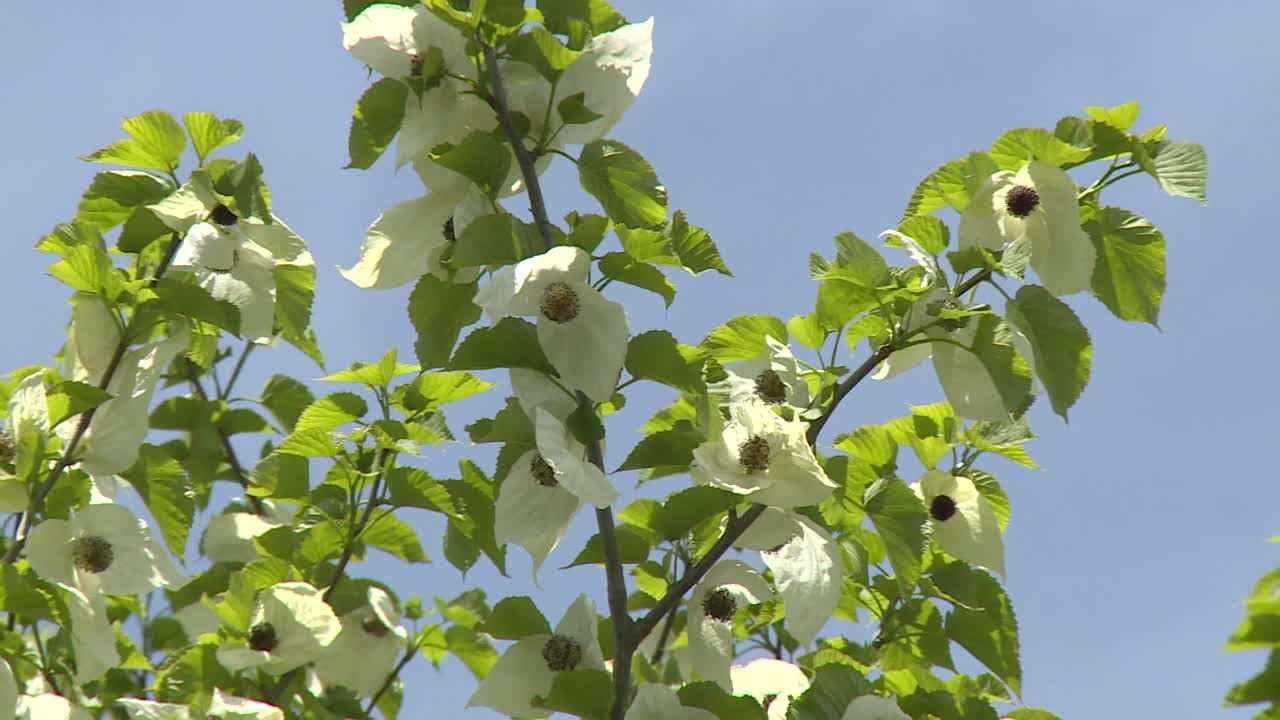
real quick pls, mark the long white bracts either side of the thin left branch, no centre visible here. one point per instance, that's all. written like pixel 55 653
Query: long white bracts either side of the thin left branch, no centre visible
pixel 120 426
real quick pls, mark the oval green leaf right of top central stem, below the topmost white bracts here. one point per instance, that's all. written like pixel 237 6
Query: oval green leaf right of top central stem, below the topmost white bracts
pixel 624 183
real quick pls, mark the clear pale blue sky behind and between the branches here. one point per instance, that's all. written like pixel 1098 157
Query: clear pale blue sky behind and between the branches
pixel 776 126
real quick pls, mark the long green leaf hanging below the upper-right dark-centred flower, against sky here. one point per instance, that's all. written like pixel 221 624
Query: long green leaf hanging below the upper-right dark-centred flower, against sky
pixel 1059 343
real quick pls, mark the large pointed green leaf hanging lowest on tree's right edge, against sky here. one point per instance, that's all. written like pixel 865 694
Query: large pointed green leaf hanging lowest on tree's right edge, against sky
pixel 985 623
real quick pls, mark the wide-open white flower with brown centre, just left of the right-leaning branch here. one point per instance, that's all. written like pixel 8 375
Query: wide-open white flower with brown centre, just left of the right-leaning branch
pixel 762 457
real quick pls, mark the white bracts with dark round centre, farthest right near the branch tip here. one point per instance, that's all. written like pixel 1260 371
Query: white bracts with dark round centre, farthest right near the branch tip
pixel 1037 206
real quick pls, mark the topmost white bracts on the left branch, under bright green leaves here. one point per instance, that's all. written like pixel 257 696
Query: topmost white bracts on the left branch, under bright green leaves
pixel 231 257
